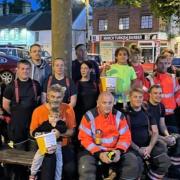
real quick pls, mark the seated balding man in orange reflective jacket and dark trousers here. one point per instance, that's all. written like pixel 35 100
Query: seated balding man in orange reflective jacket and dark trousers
pixel 105 137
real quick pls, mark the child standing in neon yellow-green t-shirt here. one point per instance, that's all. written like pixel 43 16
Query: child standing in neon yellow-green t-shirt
pixel 125 75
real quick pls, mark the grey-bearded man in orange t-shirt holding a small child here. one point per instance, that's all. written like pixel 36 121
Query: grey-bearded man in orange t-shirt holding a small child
pixel 40 114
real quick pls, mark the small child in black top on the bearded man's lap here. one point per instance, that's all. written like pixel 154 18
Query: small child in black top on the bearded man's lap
pixel 53 124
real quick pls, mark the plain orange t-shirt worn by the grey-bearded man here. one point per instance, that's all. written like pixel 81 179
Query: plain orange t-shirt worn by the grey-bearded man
pixel 41 113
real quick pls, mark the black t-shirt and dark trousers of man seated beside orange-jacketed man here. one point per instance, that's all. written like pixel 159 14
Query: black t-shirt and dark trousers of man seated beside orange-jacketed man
pixel 140 124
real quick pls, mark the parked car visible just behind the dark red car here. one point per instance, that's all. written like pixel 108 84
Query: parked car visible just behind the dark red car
pixel 17 52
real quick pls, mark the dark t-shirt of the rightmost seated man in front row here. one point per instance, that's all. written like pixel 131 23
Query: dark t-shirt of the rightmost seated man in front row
pixel 157 111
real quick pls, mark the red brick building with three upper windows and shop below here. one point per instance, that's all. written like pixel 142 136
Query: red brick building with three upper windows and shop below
pixel 116 26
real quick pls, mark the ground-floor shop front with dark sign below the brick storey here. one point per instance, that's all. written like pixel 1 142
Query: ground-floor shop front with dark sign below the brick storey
pixel 150 45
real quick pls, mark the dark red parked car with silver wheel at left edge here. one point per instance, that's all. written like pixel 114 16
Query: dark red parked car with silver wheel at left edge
pixel 8 65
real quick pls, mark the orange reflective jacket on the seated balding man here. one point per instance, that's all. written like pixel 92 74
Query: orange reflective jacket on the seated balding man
pixel 114 128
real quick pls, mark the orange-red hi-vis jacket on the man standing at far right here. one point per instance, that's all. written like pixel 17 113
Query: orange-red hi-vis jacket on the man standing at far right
pixel 170 88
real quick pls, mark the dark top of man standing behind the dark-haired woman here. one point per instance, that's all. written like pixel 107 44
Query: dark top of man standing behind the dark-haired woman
pixel 76 74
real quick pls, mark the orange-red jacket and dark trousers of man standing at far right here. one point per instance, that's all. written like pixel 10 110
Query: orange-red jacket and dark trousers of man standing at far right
pixel 170 96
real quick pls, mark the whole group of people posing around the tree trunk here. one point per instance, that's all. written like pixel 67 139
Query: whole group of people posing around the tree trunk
pixel 117 134
